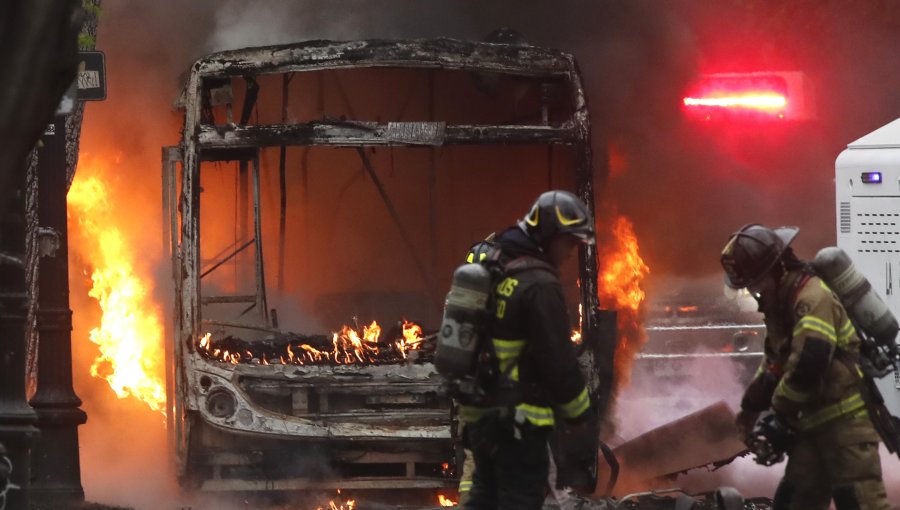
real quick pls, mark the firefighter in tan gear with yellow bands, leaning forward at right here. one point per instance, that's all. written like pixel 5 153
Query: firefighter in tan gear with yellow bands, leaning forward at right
pixel 809 377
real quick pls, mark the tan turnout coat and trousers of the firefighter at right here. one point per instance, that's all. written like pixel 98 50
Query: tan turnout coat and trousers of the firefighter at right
pixel 811 379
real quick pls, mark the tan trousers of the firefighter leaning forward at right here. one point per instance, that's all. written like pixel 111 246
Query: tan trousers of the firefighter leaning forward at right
pixel 837 462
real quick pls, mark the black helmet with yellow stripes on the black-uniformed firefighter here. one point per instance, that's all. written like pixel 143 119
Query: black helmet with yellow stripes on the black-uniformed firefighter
pixel 556 213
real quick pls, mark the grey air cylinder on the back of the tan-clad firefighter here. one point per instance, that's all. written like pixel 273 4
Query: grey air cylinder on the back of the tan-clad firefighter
pixel 867 310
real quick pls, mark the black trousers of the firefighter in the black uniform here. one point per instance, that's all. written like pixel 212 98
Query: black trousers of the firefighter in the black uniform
pixel 510 467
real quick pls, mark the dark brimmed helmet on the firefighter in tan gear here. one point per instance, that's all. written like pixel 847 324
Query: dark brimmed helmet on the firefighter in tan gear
pixel 752 251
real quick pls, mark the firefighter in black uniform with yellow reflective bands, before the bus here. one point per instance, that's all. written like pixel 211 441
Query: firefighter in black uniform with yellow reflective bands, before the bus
pixel 538 369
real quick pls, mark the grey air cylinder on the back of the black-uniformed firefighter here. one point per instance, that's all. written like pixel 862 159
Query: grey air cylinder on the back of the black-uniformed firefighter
pixel 465 316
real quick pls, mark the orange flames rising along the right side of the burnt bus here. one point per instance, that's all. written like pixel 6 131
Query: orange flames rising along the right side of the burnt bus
pixel 623 271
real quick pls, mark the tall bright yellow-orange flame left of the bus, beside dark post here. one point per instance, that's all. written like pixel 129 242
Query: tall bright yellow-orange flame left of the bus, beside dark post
pixel 130 334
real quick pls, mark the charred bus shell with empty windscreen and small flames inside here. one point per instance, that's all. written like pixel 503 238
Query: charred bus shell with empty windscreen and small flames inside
pixel 256 407
